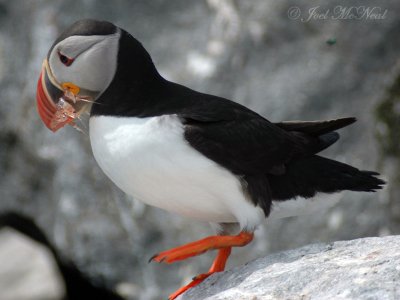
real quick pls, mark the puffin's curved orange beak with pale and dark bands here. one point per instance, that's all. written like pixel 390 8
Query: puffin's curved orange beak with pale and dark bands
pixel 48 95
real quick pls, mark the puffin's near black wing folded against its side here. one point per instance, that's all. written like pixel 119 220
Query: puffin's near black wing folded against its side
pixel 243 141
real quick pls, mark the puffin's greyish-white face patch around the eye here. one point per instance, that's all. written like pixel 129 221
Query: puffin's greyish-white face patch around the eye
pixel 95 61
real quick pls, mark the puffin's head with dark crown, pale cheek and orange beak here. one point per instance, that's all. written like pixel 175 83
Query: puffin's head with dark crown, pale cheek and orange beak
pixel 79 67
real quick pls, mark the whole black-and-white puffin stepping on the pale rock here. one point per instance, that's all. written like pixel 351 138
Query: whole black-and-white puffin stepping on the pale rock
pixel 194 154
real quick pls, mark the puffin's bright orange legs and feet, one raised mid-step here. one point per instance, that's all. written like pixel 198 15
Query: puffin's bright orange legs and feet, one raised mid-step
pixel 224 245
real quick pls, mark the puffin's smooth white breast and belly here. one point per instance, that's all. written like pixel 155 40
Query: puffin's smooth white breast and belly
pixel 149 159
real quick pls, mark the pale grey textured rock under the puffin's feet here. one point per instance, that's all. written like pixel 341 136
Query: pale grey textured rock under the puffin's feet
pixel 360 269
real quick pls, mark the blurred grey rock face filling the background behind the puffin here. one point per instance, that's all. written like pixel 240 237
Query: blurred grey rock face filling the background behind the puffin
pixel 257 53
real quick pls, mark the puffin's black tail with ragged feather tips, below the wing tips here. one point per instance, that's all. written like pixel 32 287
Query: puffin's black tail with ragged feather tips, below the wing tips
pixel 307 176
